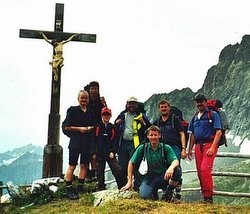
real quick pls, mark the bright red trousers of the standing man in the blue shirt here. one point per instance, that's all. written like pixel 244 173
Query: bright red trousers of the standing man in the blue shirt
pixel 204 166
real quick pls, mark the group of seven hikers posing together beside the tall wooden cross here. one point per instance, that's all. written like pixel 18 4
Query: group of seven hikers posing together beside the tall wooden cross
pixel 143 156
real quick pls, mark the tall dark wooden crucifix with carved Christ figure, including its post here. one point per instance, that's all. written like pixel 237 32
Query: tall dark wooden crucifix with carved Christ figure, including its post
pixel 52 155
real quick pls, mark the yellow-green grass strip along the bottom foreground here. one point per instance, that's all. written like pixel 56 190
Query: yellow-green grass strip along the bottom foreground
pixel 127 206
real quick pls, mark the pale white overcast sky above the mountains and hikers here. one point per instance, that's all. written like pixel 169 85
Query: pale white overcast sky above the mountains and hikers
pixel 143 47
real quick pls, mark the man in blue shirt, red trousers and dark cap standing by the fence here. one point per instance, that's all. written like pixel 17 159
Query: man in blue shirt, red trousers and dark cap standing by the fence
pixel 205 129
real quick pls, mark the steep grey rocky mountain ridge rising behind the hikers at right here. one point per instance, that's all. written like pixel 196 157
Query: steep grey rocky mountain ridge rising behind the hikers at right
pixel 228 80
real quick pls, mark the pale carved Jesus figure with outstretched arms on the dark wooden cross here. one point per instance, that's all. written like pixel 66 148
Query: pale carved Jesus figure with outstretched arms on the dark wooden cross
pixel 57 60
